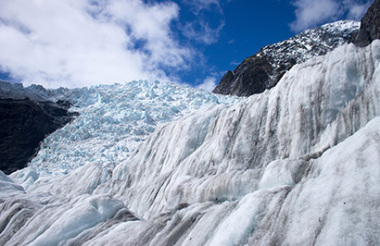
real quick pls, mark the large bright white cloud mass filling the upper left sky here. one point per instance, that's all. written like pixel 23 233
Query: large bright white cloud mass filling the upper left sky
pixel 77 43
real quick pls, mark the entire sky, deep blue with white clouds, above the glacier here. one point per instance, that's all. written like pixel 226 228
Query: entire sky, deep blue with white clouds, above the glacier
pixel 76 43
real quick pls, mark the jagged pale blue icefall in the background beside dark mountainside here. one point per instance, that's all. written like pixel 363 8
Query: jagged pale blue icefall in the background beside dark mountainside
pixel 112 121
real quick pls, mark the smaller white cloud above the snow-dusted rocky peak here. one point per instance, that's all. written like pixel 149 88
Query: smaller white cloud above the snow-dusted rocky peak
pixel 310 13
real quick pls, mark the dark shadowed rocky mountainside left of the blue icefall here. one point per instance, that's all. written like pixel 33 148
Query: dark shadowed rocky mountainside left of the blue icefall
pixel 24 123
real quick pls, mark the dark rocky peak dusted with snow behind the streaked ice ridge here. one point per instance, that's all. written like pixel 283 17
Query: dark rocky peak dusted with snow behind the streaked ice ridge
pixel 264 69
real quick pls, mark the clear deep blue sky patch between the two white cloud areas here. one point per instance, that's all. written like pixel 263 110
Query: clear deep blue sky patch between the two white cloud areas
pixel 247 27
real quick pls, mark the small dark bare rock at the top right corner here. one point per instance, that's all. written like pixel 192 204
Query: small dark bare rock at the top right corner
pixel 370 26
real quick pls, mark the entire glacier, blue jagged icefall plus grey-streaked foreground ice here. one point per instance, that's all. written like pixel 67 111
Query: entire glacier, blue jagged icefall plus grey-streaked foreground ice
pixel 296 165
